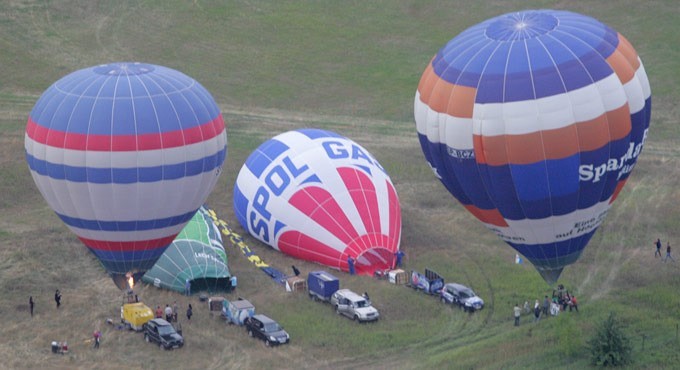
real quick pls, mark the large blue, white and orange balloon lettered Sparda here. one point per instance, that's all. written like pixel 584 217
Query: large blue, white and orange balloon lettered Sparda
pixel 533 121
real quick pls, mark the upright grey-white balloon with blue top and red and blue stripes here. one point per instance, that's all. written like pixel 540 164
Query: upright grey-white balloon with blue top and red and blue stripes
pixel 125 154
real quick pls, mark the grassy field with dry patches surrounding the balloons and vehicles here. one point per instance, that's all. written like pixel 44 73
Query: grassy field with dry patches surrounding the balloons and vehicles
pixel 352 67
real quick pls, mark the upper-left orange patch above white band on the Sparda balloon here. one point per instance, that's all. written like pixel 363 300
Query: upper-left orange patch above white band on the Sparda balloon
pixel 445 97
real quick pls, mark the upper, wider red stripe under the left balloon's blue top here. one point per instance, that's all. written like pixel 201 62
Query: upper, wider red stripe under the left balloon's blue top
pixel 122 143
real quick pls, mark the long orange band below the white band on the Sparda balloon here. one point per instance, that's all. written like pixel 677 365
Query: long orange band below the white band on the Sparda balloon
pixel 553 144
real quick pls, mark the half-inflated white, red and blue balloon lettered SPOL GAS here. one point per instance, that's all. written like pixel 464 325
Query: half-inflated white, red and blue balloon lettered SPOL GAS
pixel 318 196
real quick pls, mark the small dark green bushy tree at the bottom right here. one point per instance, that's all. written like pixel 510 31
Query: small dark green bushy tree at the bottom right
pixel 610 346
